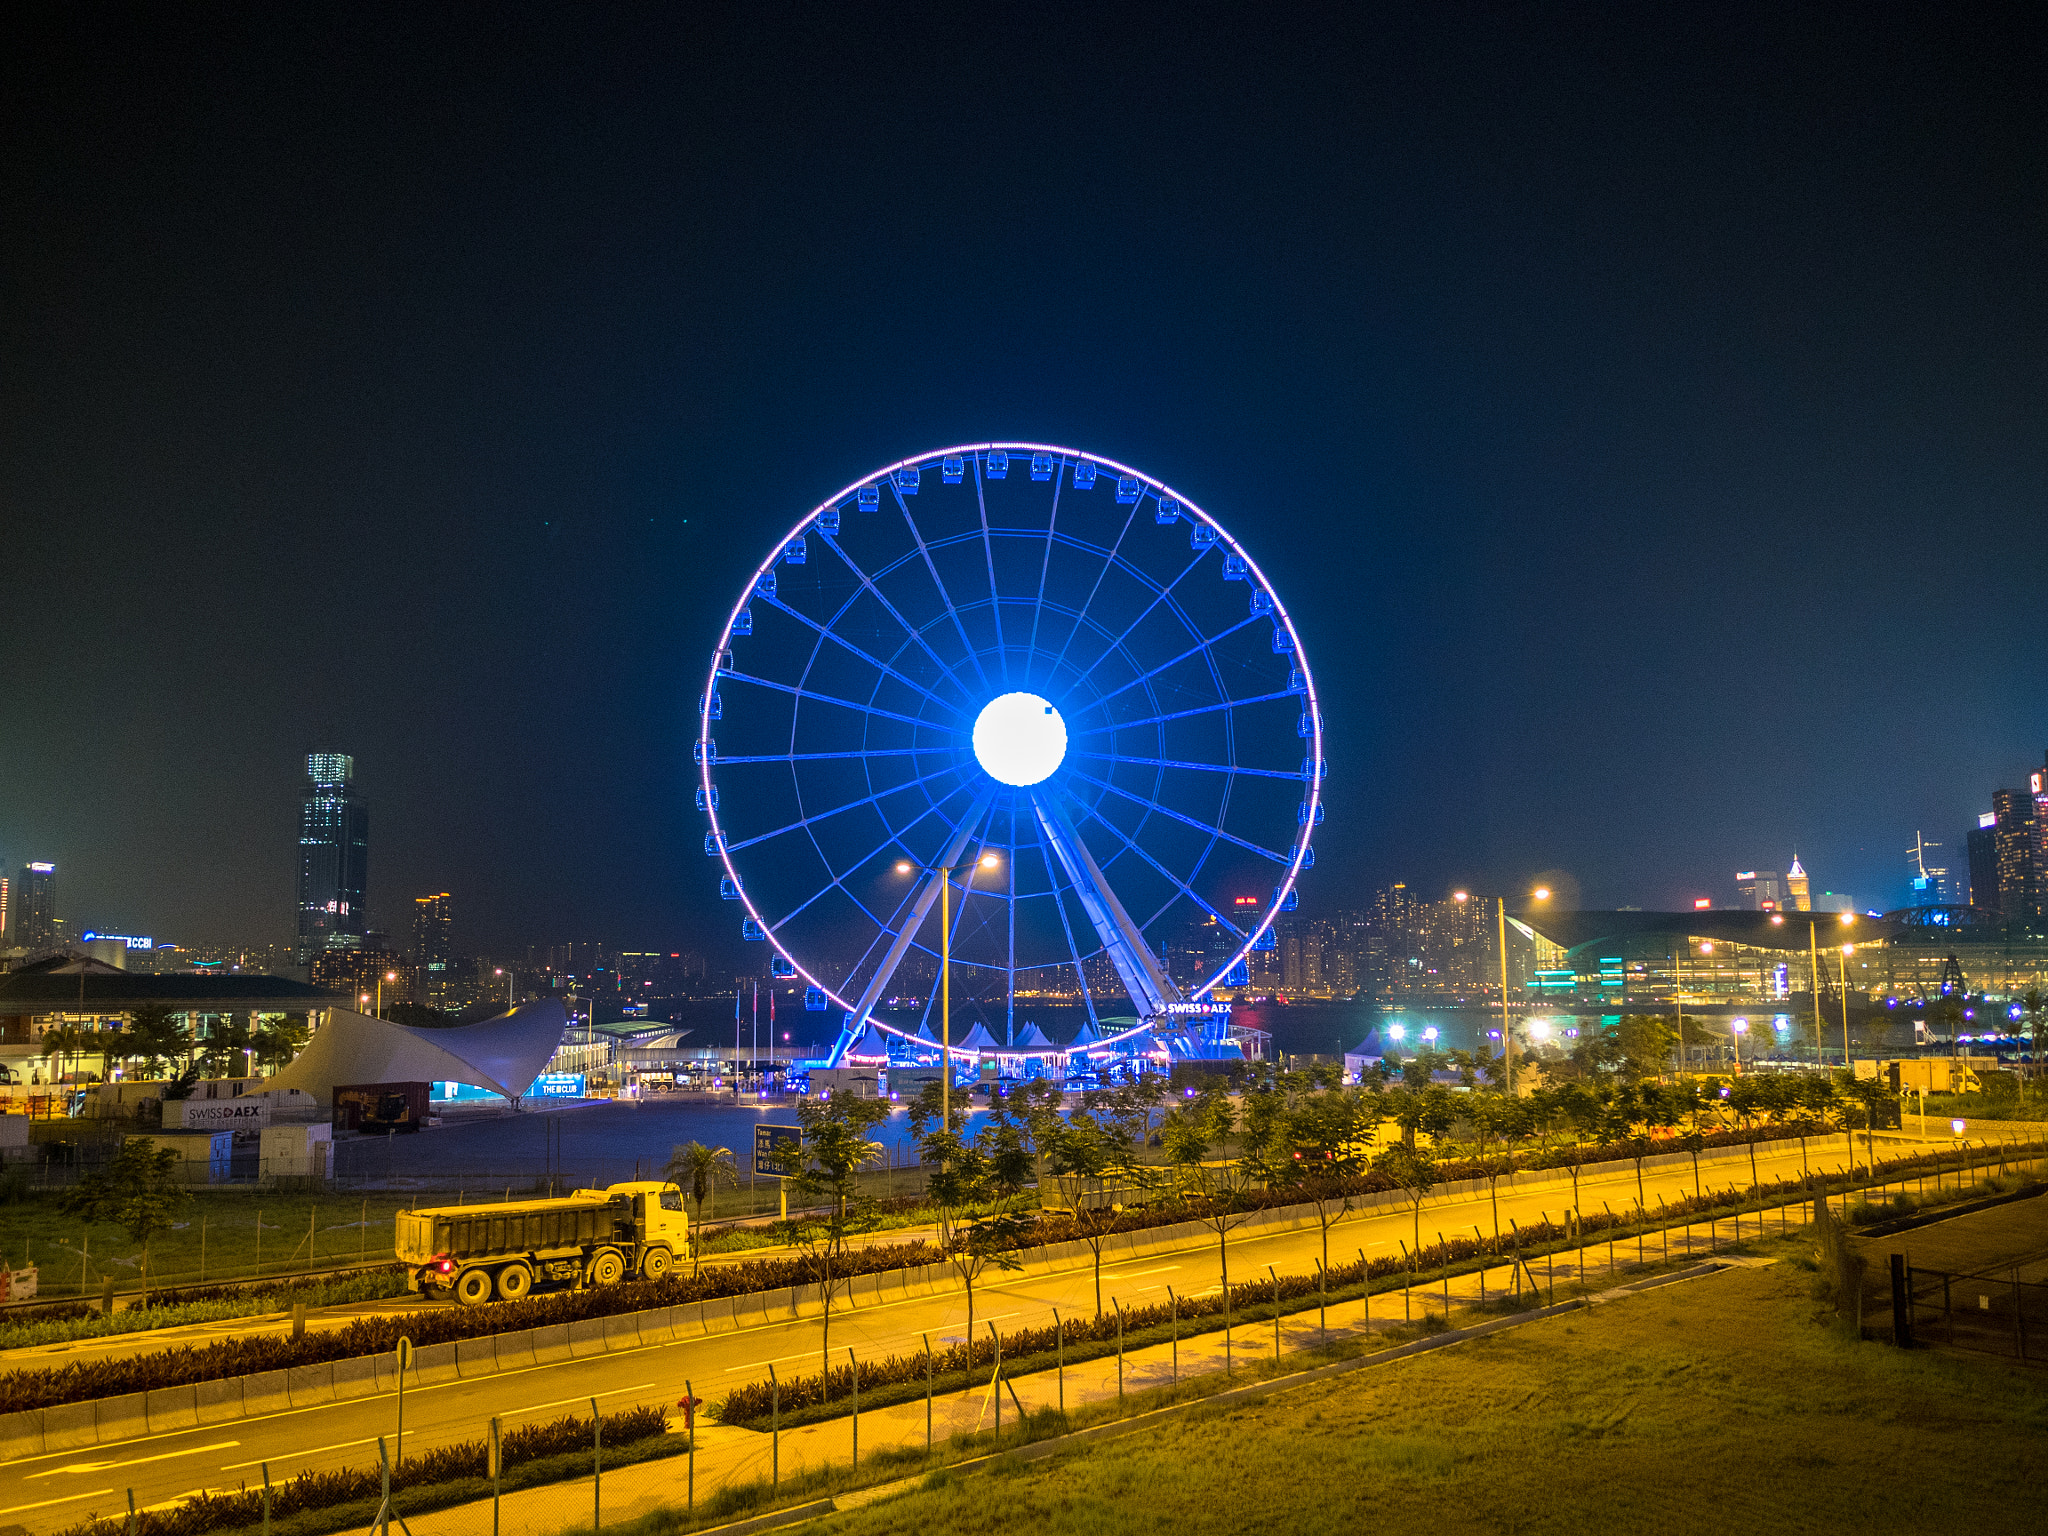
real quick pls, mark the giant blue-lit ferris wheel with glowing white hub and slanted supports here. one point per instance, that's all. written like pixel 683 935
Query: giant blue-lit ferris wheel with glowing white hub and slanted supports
pixel 1039 685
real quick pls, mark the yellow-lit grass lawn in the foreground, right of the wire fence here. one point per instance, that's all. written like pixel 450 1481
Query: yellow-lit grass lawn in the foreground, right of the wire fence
pixel 1711 1406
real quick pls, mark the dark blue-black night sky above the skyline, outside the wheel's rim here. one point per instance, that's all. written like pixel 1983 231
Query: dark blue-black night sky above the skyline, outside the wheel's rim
pixel 1644 413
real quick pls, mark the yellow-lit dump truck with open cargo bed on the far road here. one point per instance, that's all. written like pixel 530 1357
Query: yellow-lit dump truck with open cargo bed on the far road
pixel 593 1238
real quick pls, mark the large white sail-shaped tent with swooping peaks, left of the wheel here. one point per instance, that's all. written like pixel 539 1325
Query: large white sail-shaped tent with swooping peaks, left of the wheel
pixel 501 1056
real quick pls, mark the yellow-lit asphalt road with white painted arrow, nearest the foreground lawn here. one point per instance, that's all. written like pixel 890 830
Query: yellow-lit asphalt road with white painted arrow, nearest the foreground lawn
pixel 58 1490
